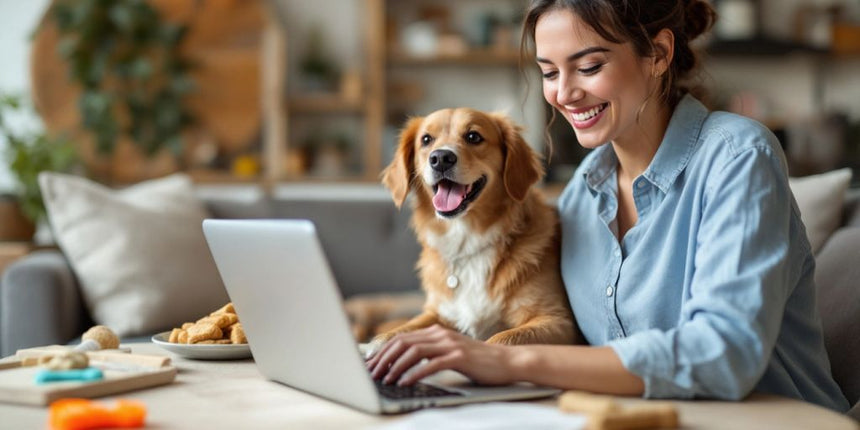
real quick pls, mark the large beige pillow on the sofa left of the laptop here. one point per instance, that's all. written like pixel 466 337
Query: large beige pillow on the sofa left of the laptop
pixel 139 253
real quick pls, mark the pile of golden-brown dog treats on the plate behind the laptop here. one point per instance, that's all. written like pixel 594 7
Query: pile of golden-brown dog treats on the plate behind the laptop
pixel 218 327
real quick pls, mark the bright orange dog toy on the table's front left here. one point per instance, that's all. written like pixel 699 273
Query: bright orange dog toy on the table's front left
pixel 82 414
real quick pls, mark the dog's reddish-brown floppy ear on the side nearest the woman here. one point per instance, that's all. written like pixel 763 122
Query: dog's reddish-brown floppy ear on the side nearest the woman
pixel 522 165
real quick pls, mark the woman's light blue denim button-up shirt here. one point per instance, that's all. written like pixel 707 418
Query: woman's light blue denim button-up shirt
pixel 711 293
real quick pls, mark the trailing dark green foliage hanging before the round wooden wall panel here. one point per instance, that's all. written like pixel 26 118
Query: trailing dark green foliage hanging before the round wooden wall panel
pixel 132 75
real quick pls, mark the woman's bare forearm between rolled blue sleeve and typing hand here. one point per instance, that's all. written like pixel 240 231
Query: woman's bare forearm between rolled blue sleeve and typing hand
pixel 595 369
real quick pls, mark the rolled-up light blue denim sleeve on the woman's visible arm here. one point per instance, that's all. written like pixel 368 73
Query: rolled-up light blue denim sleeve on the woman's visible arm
pixel 730 322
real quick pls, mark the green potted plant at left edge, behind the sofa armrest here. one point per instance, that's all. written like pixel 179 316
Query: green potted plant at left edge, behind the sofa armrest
pixel 27 154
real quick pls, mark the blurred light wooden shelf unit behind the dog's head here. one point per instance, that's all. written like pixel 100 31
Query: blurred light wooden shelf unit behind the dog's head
pixel 284 111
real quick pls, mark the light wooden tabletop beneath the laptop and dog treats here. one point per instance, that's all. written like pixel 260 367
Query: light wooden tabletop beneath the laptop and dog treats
pixel 233 394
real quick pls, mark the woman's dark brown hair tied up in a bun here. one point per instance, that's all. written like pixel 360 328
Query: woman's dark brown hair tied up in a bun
pixel 636 22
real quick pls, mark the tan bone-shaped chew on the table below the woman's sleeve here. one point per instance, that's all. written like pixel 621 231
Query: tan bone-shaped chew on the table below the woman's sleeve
pixel 605 414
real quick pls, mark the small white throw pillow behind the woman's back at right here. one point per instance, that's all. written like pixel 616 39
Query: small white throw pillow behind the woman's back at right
pixel 820 199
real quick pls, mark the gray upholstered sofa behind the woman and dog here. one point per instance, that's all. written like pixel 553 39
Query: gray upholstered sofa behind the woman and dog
pixel 371 249
